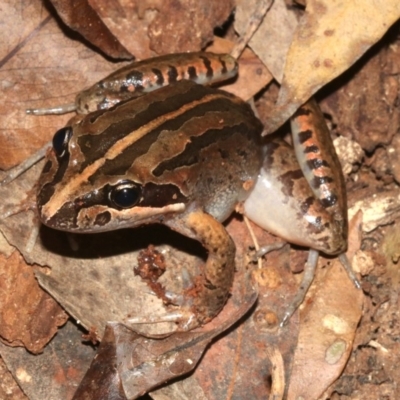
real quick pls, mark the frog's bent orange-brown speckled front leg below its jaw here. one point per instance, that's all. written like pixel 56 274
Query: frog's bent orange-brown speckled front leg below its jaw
pixel 211 289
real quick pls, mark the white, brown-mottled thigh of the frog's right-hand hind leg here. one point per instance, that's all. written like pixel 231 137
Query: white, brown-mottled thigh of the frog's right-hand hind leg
pixel 293 214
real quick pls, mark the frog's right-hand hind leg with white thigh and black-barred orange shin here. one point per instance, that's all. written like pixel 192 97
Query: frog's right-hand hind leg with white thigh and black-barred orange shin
pixel 306 193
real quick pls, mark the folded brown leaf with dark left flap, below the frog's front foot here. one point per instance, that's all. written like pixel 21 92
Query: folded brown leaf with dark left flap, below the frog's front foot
pixel 129 364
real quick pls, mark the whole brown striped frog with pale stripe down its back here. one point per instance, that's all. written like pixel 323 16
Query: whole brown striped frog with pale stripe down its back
pixel 156 146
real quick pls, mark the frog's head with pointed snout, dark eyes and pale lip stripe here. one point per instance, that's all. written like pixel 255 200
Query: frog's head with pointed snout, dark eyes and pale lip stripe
pixel 80 190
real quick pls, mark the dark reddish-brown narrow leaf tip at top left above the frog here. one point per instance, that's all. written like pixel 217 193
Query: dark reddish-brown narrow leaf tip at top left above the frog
pixel 82 18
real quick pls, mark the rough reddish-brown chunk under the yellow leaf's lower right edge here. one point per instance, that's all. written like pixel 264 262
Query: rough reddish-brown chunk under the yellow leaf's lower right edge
pixel 365 107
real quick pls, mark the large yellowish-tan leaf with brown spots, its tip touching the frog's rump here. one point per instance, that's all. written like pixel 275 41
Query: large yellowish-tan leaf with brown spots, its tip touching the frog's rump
pixel 330 38
